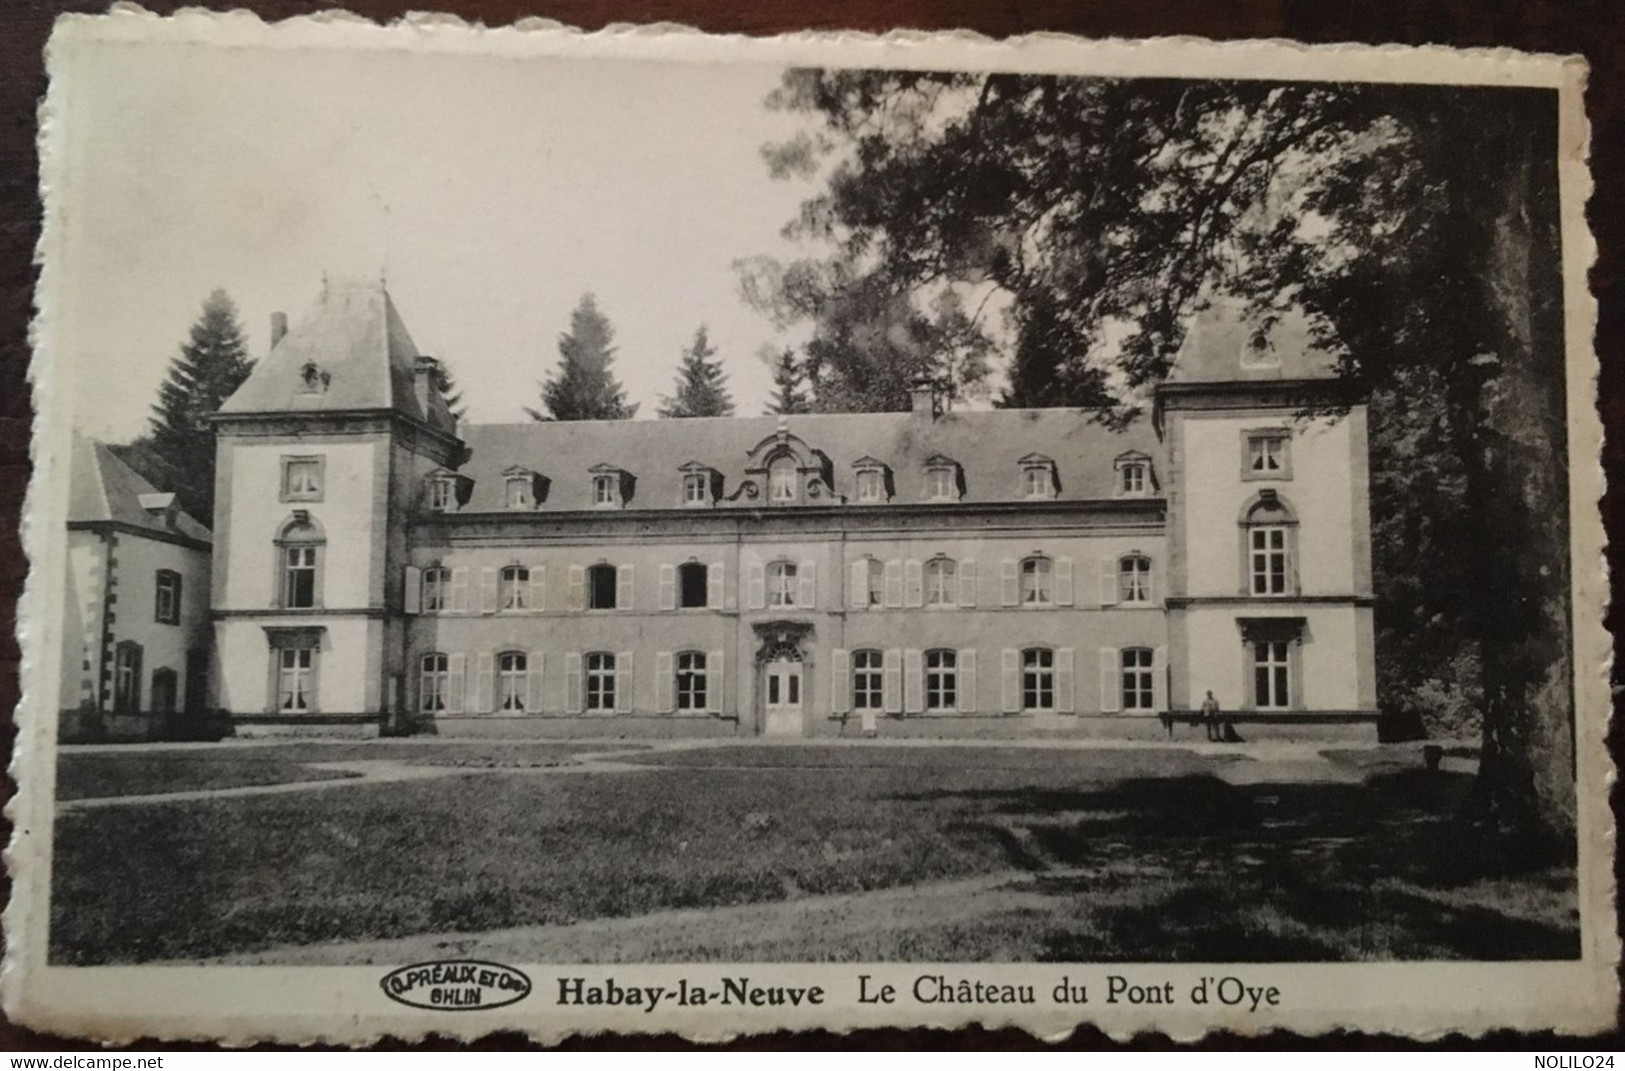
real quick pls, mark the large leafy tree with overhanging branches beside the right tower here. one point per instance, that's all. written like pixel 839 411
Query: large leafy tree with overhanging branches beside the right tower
pixel 1415 225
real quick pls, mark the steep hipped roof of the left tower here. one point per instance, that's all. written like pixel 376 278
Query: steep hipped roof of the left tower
pixel 358 340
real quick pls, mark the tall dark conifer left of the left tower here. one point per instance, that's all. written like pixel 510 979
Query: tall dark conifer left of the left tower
pixel 212 365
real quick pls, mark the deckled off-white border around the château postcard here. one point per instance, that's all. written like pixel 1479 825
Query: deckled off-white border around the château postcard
pixel 342 1005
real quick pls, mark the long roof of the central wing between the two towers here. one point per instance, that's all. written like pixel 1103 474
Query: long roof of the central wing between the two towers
pixel 986 444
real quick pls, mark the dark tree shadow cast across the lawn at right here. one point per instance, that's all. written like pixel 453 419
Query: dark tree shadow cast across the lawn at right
pixel 1192 869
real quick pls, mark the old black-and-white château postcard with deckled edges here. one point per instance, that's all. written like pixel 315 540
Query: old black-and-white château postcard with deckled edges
pixel 513 501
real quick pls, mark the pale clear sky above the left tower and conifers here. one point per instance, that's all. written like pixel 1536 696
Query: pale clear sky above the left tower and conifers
pixel 490 193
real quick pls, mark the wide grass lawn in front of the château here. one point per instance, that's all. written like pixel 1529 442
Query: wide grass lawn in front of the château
pixel 1119 856
